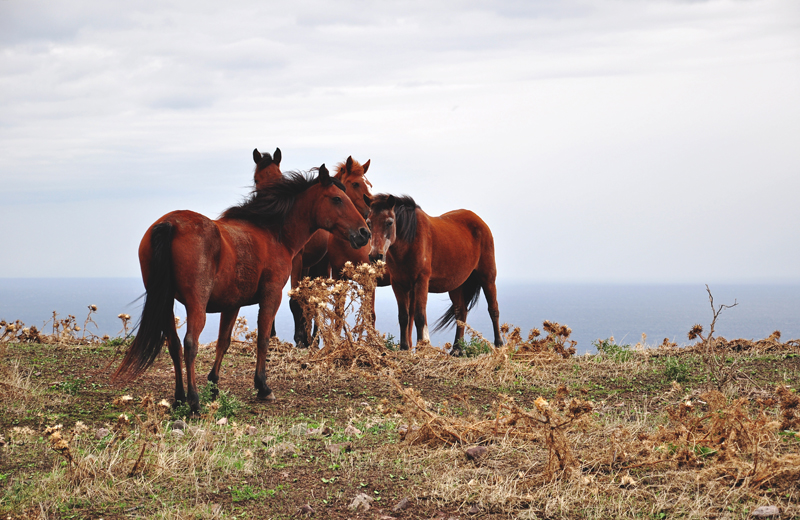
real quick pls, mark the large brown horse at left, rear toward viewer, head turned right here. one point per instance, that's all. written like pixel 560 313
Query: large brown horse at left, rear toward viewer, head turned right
pixel 243 258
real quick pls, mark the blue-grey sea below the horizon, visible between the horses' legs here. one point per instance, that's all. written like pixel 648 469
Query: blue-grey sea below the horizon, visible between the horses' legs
pixel 592 311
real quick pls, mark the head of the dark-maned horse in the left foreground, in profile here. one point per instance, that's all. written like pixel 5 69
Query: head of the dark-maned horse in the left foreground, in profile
pixel 336 213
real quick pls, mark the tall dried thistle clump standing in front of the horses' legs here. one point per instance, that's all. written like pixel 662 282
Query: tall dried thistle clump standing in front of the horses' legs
pixel 342 310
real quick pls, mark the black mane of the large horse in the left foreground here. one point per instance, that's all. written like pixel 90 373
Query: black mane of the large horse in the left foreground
pixel 269 205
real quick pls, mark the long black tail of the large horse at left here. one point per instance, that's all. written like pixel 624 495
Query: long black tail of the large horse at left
pixel 157 316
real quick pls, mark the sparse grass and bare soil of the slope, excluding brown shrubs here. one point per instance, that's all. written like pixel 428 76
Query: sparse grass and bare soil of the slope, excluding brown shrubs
pixel 223 470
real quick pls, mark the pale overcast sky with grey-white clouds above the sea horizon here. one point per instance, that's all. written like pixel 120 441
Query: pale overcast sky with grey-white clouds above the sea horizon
pixel 608 141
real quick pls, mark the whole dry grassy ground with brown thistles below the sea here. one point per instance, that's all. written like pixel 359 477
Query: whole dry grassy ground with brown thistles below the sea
pixel 631 432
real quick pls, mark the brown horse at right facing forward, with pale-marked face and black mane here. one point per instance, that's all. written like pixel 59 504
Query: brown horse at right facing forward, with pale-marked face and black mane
pixel 452 253
